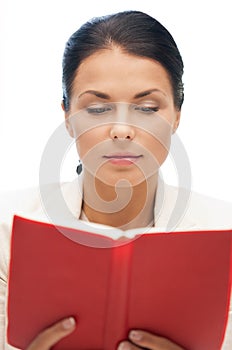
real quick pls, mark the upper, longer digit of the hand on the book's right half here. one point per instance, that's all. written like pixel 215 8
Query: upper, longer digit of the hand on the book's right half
pixel 151 341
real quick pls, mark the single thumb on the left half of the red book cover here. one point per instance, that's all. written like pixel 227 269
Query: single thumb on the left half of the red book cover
pixel 53 334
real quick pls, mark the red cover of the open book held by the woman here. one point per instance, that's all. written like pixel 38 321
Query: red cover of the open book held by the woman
pixel 176 285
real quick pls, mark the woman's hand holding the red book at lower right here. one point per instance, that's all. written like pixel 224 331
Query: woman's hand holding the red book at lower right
pixel 141 339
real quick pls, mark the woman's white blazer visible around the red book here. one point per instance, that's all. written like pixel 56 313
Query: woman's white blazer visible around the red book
pixel 175 210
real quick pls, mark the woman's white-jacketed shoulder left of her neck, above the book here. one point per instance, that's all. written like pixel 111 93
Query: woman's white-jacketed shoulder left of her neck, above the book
pixel 37 203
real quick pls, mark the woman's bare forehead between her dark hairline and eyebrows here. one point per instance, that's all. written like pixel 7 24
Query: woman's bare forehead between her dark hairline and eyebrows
pixel 112 69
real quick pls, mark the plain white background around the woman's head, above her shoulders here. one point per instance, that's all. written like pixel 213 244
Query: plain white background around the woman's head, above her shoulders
pixel 32 39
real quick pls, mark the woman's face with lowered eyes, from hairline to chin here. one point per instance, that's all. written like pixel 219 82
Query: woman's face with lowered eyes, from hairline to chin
pixel 122 115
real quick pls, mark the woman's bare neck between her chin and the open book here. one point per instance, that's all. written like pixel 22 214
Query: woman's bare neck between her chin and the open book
pixel 124 206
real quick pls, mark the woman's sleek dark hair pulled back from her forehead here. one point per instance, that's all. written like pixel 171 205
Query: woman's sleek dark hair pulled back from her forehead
pixel 135 33
